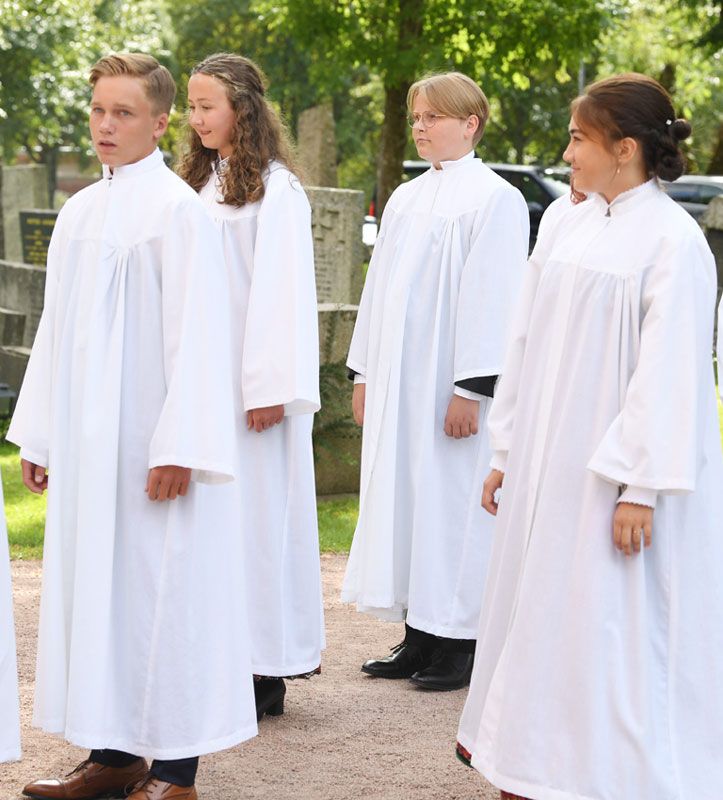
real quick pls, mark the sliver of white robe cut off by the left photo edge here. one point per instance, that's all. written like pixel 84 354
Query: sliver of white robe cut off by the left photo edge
pixel 9 706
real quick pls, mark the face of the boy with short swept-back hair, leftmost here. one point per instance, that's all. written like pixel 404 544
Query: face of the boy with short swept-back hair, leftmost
pixel 123 124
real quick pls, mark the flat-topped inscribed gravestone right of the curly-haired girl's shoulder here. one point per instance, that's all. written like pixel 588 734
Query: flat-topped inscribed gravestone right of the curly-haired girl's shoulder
pixel 337 216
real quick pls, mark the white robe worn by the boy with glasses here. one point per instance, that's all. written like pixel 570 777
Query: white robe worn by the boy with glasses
pixel 441 285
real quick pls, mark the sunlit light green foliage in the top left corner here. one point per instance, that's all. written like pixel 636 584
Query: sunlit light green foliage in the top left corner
pixel 46 50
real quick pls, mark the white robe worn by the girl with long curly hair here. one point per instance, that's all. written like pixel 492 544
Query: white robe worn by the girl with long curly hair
pixel 275 350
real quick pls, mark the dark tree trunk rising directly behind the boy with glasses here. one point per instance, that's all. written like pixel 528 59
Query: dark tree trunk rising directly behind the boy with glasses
pixel 394 128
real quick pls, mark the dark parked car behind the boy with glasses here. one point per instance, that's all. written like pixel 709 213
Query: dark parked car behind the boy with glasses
pixel 538 188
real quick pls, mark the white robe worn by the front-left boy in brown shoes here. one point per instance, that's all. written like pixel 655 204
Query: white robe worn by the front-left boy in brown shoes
pixel 141 645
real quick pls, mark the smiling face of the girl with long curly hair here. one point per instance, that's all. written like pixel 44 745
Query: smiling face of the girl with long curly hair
pixel 210 113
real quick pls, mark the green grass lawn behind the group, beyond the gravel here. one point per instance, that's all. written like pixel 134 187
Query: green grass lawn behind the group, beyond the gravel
pixel 26 512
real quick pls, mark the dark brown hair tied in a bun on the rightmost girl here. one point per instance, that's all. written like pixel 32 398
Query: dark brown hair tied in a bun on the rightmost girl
pixel 636 106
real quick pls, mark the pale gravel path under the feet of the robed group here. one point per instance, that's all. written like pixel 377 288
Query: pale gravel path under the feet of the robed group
pixel 343 736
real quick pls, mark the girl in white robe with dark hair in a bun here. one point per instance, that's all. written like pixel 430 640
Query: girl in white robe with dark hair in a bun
pixel 601 632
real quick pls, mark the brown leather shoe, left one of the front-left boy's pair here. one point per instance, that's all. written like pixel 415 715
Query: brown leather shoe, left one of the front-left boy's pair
pixel 88 781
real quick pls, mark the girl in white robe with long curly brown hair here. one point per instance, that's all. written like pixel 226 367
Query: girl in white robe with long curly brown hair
pixel 239 161
